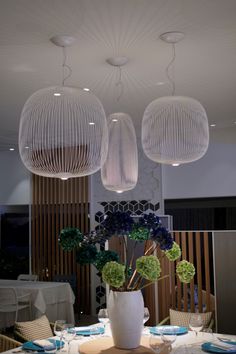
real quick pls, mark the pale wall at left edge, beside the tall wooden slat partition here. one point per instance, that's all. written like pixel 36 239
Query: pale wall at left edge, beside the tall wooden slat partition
pixel 14 180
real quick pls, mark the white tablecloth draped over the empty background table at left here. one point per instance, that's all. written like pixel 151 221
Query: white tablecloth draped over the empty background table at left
pixel 54 299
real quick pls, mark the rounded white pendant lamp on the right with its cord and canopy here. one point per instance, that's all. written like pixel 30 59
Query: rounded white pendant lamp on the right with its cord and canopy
pixel 175 129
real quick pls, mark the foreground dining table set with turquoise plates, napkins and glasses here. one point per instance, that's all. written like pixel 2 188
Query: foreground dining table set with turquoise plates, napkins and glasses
pixel 97 338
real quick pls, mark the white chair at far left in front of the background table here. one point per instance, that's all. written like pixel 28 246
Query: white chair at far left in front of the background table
pixel 10 302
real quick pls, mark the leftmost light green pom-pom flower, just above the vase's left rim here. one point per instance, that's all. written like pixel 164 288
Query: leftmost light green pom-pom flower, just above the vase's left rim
pixel 113 274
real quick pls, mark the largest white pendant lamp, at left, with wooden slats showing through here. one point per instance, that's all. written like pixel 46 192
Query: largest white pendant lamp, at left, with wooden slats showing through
pixel 63 130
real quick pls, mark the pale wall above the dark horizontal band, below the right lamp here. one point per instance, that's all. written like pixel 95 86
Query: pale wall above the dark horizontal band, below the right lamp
pixel 214 175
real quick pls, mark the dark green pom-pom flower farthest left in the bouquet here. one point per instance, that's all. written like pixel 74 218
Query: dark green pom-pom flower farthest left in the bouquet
pixel 70 238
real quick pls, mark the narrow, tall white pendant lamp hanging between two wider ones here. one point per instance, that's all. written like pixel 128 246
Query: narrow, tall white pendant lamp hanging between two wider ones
pixel 120 171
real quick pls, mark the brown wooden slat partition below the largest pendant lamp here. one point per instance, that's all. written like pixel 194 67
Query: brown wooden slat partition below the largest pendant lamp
pixel 58 204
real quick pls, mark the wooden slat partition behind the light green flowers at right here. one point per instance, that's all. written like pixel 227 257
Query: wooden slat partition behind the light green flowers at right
pixel 196 248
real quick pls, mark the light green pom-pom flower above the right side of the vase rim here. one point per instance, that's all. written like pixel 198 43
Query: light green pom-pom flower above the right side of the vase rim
pixel 149 267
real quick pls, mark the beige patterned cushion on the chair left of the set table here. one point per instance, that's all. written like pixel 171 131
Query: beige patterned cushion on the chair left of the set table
pixel 32 330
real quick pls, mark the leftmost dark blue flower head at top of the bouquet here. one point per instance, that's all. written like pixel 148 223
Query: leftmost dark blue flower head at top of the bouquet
pixel 118 223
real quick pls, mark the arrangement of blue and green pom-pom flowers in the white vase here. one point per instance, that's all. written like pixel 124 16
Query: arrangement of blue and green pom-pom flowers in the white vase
pixel 133 274
